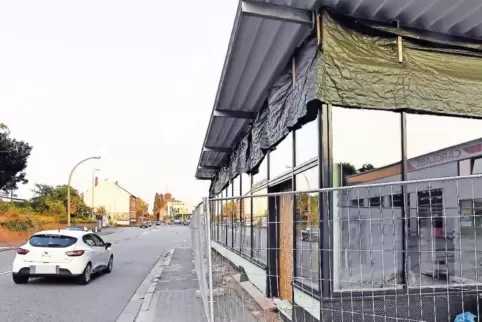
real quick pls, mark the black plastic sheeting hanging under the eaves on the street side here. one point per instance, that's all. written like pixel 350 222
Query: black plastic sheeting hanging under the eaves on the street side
pixel 286 108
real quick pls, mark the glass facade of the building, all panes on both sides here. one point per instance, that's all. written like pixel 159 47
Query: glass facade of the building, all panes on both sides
pixel 369 244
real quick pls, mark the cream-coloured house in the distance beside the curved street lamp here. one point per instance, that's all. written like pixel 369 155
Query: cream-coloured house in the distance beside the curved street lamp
pixel 119 203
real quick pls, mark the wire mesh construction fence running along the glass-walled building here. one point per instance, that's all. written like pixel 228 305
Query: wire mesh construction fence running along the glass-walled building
pixel 397 251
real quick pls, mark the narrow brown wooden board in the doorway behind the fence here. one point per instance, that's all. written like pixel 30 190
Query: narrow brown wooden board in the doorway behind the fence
pixel 285 215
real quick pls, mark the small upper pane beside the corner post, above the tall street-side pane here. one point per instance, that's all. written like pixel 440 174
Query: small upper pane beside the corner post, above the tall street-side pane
pixel 307 142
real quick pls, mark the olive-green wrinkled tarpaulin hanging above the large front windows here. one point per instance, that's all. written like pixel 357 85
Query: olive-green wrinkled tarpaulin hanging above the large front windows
pixel 359 67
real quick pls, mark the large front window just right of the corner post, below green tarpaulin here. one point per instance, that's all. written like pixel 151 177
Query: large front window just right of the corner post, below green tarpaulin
pixel 367 231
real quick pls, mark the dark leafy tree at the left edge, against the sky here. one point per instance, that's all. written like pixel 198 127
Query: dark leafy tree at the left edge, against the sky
pixel 13 160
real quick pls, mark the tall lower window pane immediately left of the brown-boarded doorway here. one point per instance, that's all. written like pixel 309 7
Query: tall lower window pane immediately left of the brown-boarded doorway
pixel 260 226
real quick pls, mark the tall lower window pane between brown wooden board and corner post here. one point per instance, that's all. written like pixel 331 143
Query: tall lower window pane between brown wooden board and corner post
pixel 307 230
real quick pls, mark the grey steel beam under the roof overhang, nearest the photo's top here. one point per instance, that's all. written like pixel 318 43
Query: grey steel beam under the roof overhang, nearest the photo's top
pixel 275 12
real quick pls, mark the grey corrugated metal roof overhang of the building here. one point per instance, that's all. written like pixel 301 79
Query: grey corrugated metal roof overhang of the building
pixel 265 35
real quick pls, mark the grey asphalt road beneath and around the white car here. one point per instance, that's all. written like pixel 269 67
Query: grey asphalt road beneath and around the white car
pixel 135 250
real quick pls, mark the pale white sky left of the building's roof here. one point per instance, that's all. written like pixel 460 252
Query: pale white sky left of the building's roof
pixel 131 81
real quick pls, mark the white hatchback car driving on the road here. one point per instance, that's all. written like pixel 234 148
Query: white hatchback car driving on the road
pixel 67 253
